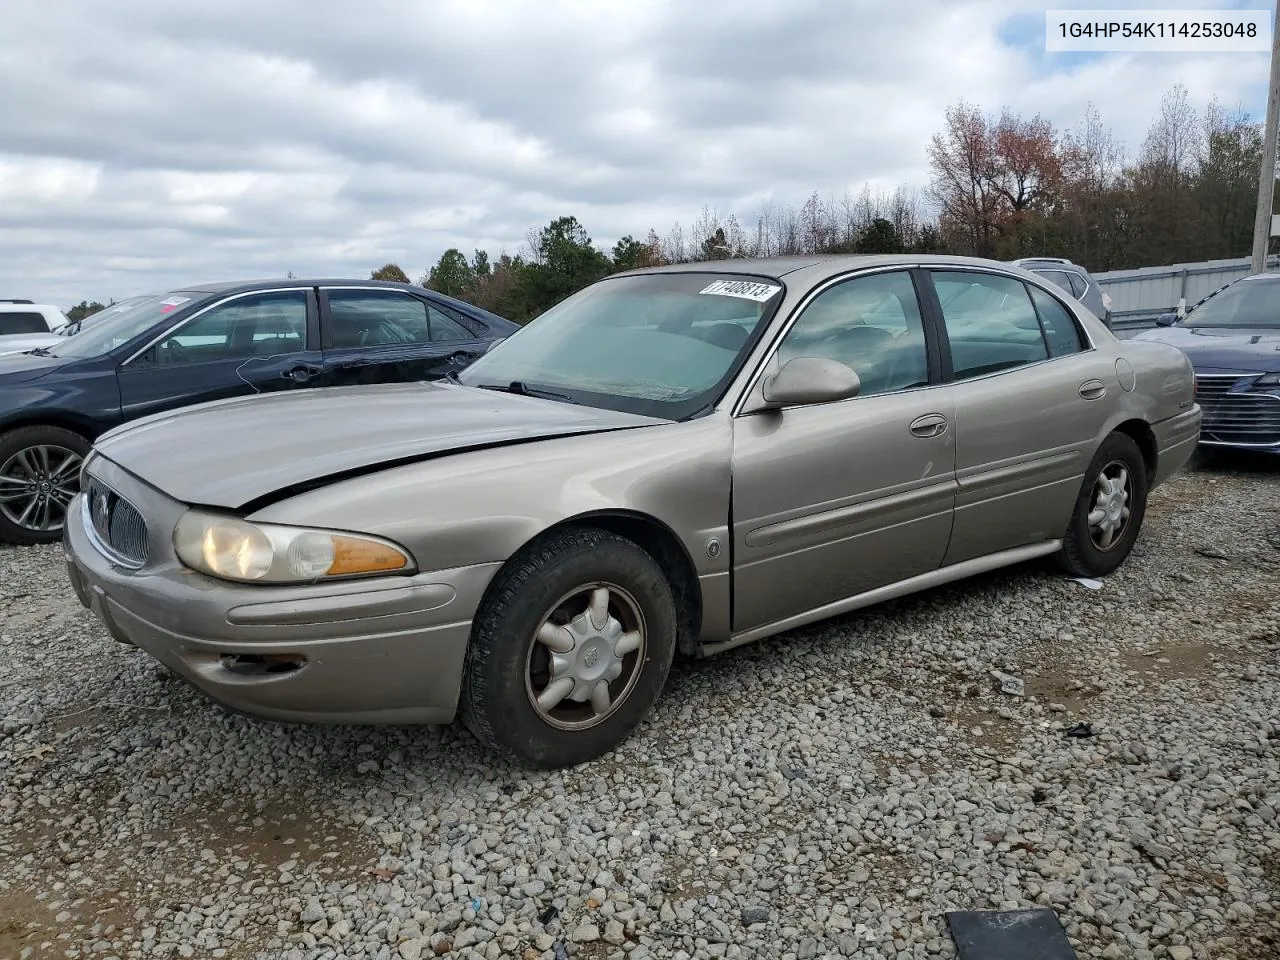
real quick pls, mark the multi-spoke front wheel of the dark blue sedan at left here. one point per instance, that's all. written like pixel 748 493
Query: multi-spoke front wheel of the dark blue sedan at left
pixel 39 477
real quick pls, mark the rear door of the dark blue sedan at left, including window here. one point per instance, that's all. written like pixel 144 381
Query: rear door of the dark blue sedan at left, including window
pixel 388 336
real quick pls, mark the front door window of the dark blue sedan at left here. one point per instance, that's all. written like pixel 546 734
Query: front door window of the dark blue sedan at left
pixel 257 326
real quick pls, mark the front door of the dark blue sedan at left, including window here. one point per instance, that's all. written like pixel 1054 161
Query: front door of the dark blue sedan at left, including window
pixel 246 344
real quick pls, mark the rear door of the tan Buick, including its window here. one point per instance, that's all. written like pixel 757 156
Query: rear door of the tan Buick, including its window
pixel 1032 399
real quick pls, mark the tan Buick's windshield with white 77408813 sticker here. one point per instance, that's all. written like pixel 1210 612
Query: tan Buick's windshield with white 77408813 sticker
pixel 657 345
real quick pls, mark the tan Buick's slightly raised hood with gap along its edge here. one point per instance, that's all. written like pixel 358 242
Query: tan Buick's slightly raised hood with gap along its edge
pixel 236 452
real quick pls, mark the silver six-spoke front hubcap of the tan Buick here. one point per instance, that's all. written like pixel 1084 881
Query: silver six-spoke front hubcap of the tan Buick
pixel 586 657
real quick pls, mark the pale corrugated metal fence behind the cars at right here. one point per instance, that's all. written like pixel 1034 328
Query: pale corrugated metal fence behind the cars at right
pixel 1140 296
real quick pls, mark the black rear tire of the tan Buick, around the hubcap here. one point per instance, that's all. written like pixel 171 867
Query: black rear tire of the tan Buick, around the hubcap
pixel 1081 555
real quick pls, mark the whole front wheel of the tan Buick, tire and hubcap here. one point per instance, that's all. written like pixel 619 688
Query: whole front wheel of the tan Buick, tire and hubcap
pixel 570 651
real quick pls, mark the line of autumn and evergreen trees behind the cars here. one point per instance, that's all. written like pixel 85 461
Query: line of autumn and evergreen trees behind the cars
pixel 1000 186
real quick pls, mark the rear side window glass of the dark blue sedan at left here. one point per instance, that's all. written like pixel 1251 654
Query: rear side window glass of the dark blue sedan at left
pixel 383 318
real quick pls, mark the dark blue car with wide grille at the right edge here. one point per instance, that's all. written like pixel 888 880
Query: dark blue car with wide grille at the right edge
pixel 1233 340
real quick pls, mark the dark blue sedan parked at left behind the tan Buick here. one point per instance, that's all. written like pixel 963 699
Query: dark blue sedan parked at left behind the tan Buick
pixel 204 344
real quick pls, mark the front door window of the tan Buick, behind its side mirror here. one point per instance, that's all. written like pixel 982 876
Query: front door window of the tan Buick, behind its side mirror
pixel 871 324
